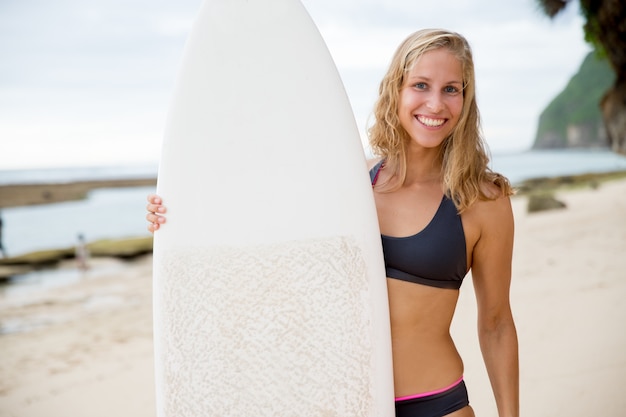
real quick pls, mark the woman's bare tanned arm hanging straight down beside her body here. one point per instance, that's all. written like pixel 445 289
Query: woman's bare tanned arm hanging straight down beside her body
pixel 491 275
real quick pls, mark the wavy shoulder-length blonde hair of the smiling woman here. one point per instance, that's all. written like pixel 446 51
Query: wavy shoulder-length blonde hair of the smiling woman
pixel 464 153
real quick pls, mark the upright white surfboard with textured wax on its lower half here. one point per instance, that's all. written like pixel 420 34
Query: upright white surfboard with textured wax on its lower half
pixel 269 286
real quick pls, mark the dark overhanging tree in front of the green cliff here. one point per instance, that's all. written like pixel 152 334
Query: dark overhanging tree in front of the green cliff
pixel 605 29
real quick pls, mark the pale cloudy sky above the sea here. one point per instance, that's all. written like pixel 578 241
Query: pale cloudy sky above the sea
pixel 89 82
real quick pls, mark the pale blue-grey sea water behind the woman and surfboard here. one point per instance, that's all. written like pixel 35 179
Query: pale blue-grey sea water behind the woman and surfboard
pixel 120 212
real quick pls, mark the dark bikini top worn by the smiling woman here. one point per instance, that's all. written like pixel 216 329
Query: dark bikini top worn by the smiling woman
pixel 435 256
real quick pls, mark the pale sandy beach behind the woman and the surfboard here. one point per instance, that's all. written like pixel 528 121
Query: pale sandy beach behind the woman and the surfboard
pixel 88 352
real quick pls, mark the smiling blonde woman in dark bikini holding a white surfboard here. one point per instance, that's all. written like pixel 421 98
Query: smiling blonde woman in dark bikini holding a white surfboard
pixel 441 213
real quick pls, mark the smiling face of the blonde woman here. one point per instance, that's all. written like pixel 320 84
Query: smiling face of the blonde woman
pixel 431 99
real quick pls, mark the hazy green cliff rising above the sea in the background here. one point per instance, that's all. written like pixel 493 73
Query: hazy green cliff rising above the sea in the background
pixel 573 119
